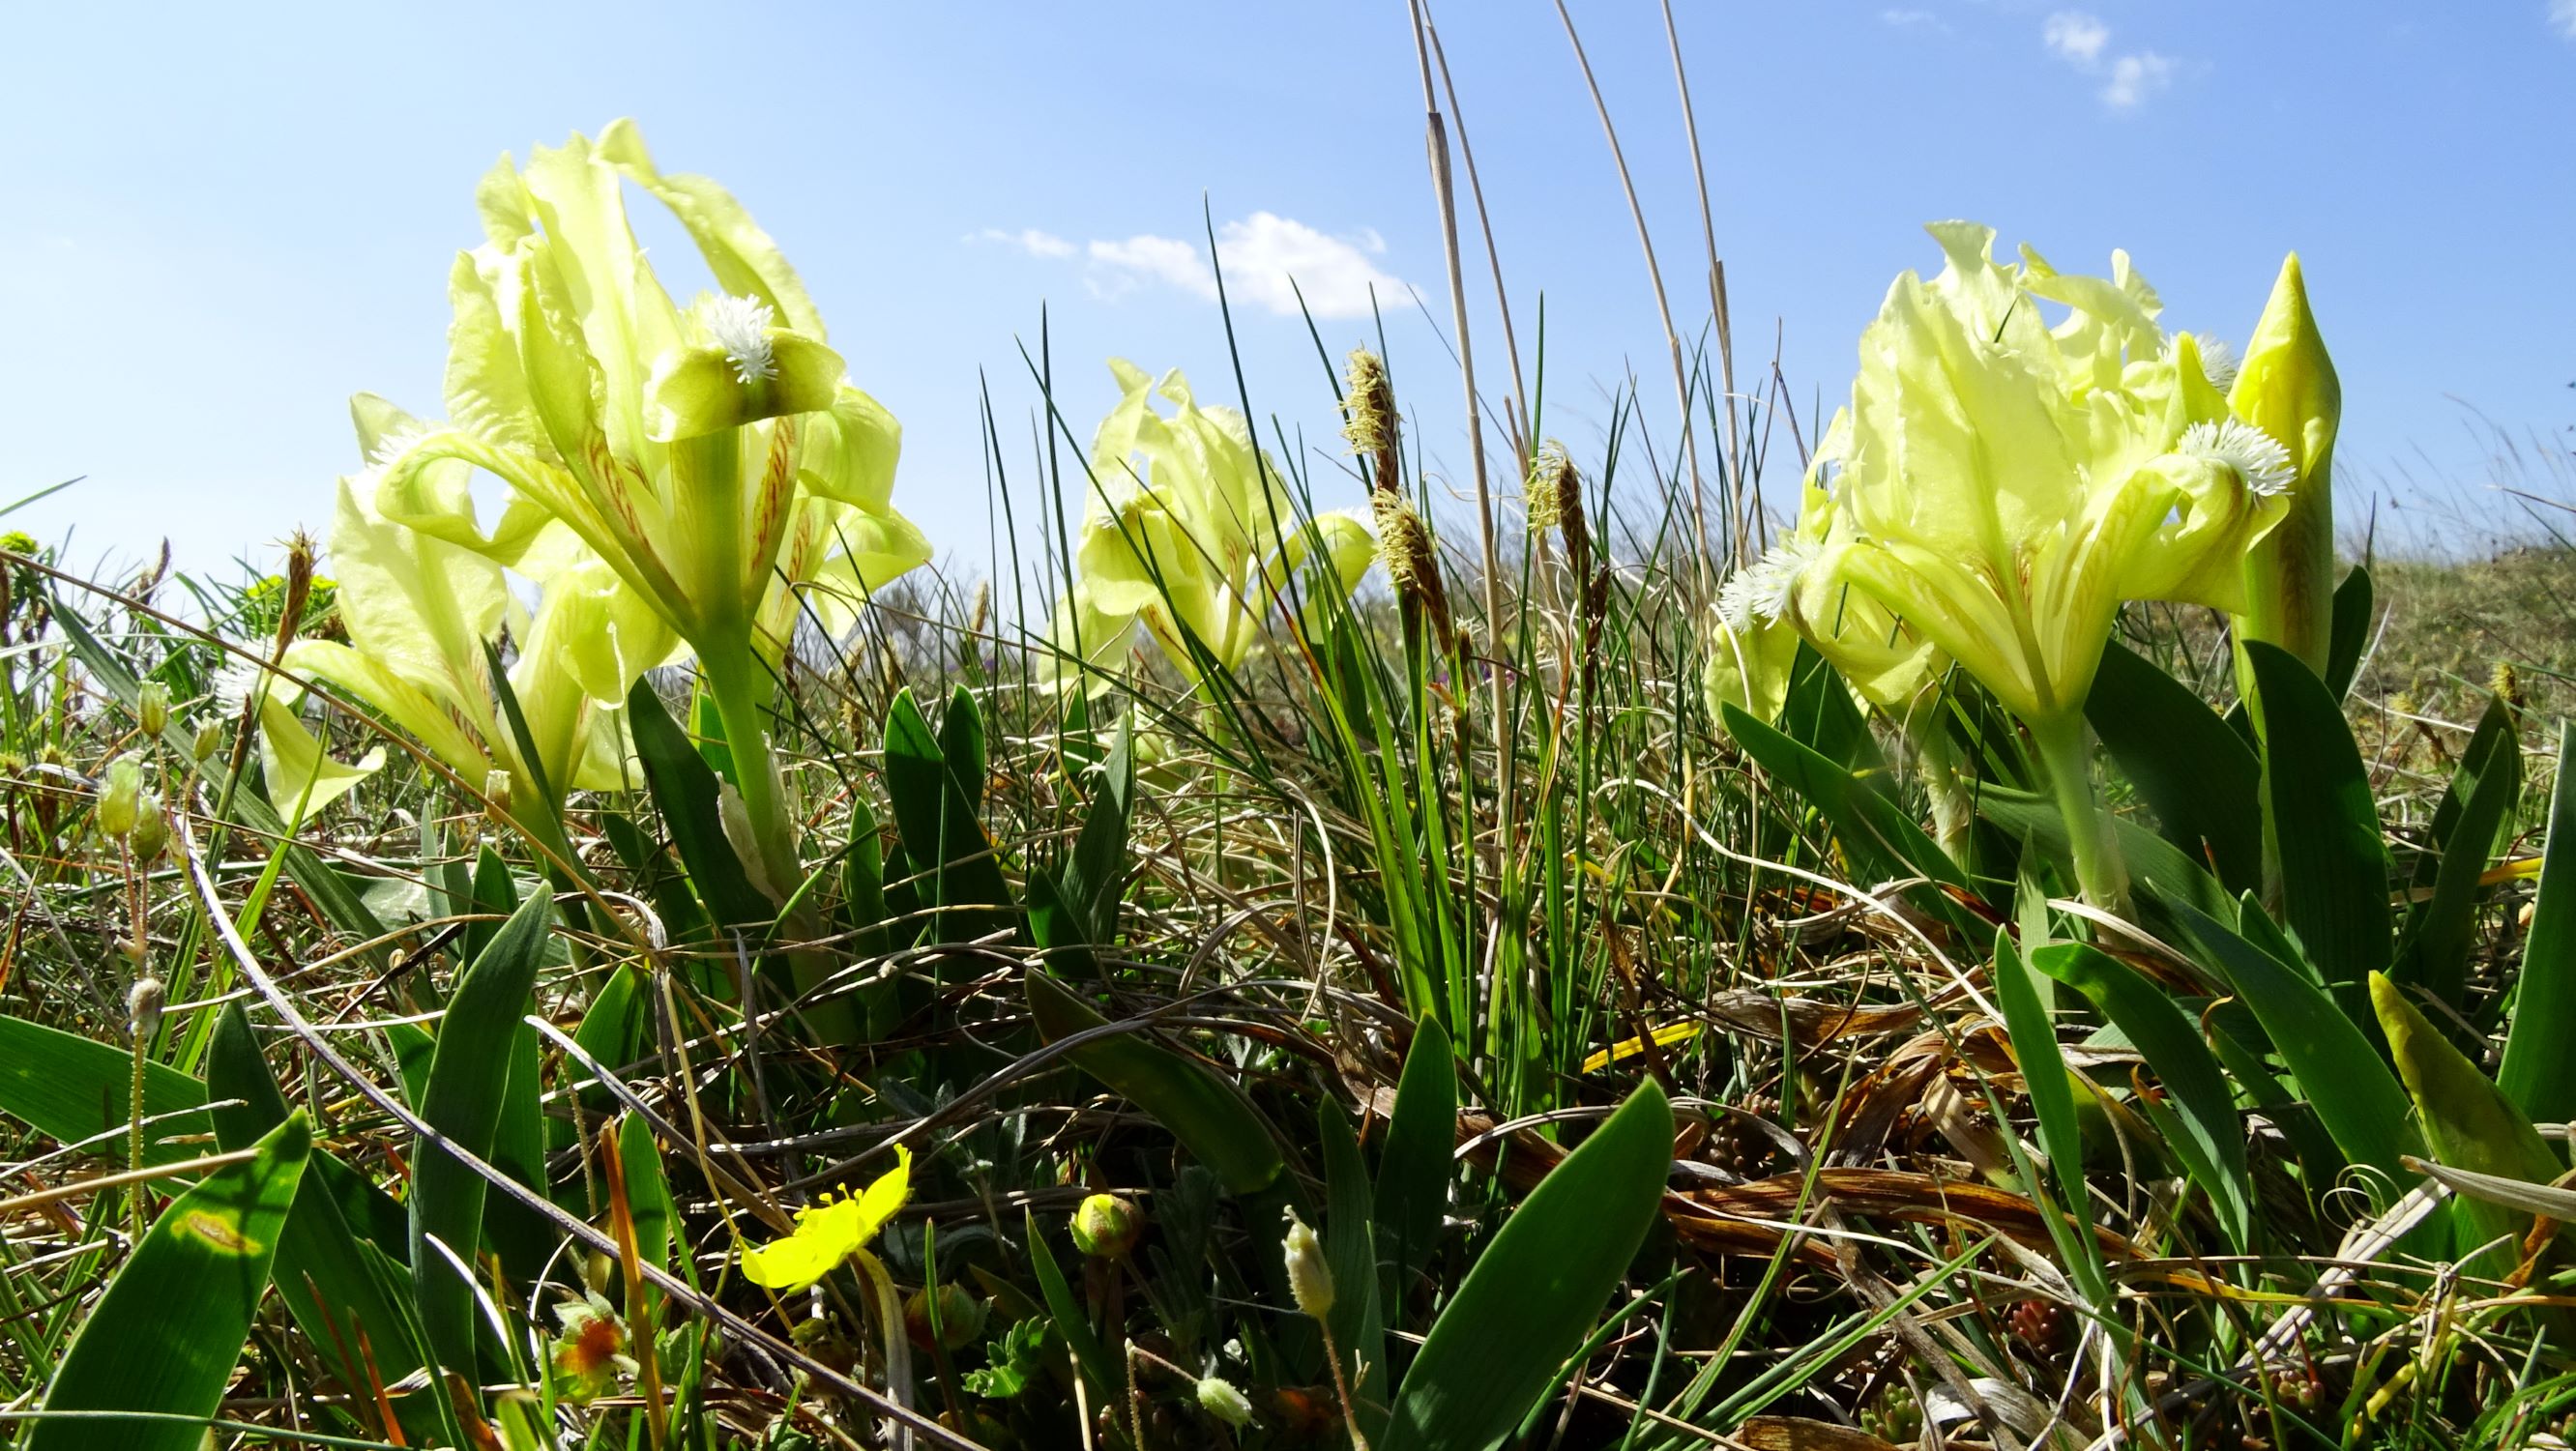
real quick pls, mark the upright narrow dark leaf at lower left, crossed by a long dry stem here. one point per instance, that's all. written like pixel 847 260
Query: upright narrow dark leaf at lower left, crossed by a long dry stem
pixel 465 1102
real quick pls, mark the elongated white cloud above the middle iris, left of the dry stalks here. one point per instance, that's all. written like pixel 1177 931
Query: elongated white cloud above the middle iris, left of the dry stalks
pixel 1269 262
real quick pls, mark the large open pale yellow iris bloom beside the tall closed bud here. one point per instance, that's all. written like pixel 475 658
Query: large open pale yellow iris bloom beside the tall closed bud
pixel 2011 483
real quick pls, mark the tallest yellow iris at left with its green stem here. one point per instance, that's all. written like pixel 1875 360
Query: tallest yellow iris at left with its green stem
pixel 715 457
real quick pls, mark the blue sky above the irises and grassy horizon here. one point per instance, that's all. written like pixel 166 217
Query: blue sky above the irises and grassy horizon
pixel 223 223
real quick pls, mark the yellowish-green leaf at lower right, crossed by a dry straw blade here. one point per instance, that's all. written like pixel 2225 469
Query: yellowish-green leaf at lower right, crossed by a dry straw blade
pixel 2469 1125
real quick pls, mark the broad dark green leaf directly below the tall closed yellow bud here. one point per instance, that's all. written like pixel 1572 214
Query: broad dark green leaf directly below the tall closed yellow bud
pixel 2325 829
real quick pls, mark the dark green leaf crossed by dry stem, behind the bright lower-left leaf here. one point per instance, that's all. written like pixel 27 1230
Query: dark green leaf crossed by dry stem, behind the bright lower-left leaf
pixel 321 1269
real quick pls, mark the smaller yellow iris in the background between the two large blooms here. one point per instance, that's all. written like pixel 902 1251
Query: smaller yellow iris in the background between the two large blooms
pixel 1189 535
